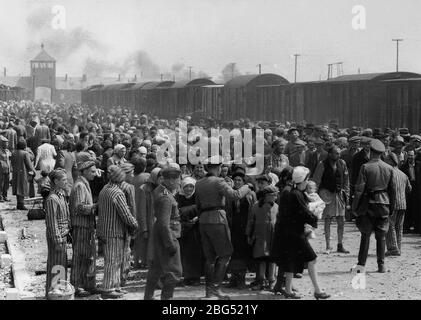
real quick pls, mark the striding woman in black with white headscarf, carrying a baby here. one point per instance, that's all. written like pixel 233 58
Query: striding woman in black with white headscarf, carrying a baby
pixel 294 250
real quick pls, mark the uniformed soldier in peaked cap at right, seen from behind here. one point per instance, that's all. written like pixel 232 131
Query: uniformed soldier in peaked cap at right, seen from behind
pixel 374 201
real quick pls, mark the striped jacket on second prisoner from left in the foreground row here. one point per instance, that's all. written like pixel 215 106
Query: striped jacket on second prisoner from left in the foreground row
pixel 81 204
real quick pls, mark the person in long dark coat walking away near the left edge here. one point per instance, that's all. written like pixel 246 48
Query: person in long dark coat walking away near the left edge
pixel 22 170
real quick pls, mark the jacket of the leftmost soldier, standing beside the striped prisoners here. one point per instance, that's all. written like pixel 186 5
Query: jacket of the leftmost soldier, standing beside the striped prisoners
pixel 167 224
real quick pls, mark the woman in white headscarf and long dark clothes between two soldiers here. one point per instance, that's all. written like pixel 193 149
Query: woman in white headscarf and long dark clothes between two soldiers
pixel 190 244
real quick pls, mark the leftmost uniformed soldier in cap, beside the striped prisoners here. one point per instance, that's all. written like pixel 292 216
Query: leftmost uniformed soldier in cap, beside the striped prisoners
pixel 166 265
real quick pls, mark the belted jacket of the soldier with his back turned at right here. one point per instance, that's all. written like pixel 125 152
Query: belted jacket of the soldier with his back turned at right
pixel 375 185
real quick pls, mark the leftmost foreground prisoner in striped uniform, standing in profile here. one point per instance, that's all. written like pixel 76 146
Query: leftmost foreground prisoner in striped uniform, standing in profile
pixel 57 221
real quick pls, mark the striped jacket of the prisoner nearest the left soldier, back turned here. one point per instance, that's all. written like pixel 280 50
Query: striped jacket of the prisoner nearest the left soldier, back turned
pixel 114 216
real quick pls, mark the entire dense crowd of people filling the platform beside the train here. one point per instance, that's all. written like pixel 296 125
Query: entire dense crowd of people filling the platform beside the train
pixel 107 193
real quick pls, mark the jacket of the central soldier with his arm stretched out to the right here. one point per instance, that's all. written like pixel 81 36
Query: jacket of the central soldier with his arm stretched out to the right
pixel 210 193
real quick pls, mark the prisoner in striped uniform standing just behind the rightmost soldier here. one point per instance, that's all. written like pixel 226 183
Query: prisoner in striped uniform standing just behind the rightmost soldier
pixel 403 189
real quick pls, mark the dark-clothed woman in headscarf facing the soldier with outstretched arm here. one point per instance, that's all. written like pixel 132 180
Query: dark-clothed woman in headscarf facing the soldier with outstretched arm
pixel 237 215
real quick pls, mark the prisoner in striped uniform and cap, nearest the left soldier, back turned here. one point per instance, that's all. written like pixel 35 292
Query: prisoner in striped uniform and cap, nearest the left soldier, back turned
pixel 115 221
